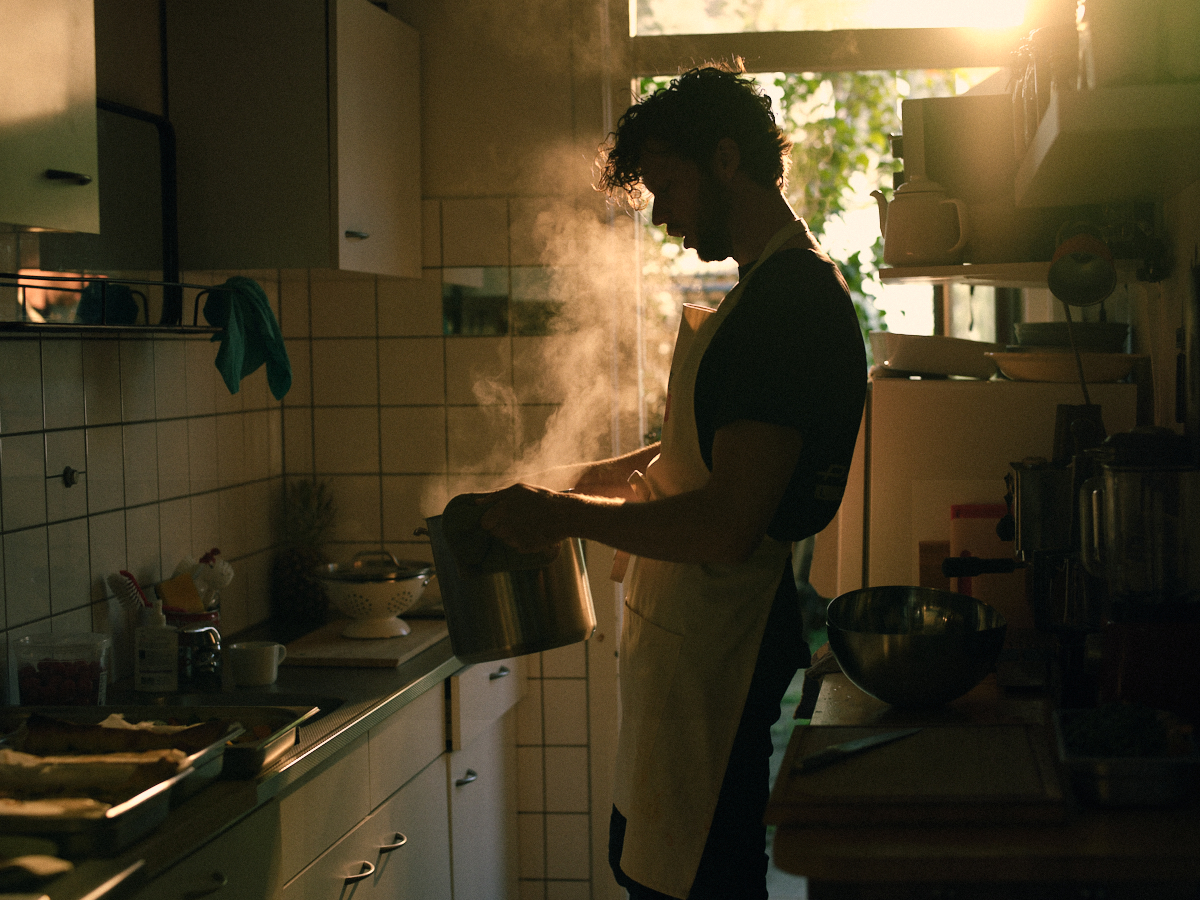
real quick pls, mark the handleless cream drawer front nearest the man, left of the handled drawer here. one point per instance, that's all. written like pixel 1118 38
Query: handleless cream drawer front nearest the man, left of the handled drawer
pixel 406 743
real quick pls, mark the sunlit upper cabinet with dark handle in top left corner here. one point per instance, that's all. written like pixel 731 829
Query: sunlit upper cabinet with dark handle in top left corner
pixel 49 116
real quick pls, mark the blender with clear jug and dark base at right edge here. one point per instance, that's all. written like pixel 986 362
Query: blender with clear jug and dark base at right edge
pixel 1141 532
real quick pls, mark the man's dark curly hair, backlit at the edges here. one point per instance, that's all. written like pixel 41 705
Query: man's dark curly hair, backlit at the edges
pixel 691 117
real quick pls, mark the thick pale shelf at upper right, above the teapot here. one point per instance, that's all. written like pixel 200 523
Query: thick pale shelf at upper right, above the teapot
pixel 1113 145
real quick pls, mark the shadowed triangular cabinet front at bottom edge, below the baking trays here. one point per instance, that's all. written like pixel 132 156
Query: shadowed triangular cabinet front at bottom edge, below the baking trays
pixel 241 865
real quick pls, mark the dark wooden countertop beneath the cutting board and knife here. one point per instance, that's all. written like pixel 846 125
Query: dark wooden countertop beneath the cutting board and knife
pixel 1121 851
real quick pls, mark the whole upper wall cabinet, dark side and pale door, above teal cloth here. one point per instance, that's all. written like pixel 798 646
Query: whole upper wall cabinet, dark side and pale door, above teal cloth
pixel 298 135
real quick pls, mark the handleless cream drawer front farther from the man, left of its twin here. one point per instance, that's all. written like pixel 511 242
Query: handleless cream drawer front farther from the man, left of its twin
pixel 323 809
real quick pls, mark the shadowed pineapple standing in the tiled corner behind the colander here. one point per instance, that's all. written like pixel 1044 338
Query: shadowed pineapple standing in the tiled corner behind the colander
pixel 299 603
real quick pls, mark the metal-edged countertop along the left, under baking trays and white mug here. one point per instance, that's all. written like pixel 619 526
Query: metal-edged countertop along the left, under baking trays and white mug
pixel 369 697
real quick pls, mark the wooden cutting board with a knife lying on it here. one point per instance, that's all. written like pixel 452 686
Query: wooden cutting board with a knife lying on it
pixel 943 775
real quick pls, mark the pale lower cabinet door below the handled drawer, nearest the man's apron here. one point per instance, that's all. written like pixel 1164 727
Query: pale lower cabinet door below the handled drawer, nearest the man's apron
pixel 483 815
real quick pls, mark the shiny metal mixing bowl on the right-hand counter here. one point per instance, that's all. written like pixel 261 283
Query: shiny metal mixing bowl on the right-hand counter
pixel 915 647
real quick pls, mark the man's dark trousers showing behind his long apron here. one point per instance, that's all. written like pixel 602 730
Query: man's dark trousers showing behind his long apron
pixel 734 866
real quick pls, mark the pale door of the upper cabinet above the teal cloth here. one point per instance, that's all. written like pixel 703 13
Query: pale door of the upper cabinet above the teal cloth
pixel 379 142
